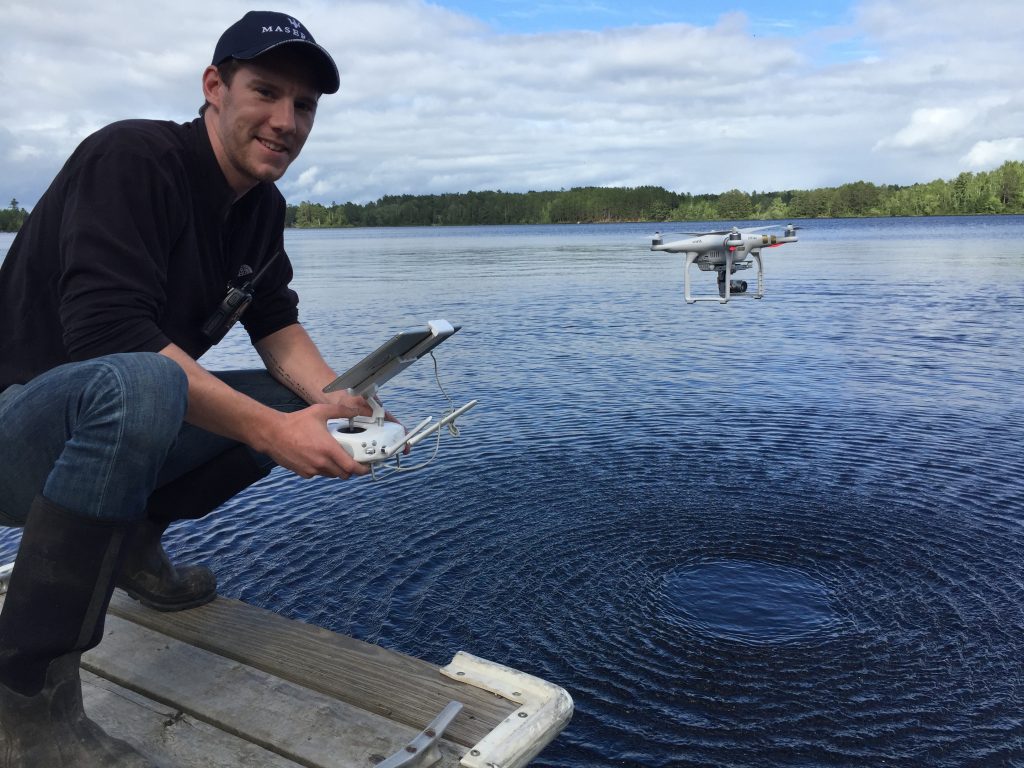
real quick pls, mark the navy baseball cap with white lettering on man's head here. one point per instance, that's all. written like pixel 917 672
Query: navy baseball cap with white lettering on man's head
pixel 261 31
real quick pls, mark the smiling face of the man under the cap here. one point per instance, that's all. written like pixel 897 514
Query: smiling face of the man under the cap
pixel 260 123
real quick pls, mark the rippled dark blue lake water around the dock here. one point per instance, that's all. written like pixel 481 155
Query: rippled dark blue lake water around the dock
pixel 787 532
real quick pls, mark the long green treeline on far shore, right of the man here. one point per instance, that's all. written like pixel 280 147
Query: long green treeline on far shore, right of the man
pixel 996 192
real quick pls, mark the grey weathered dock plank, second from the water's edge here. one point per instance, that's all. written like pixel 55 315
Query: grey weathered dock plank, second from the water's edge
pixel 297 726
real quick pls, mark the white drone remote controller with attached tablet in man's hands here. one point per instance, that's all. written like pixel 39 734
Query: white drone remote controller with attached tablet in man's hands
pixel 372 440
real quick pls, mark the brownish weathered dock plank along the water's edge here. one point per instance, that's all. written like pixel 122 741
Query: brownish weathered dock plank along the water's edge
pixel 402 689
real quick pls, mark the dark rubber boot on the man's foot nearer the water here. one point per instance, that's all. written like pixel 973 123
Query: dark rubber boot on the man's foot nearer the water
pixel 148 575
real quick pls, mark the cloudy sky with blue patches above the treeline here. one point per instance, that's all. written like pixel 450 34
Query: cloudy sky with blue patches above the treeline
pixel 519 96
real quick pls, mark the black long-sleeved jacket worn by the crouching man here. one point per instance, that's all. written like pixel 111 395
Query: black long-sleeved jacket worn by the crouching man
pixel 133 247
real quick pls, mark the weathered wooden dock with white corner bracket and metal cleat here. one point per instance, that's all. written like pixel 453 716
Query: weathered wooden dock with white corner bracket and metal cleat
pixel 228 686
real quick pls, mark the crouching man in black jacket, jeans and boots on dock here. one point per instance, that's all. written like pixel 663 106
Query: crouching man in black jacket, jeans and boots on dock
pixel 110 294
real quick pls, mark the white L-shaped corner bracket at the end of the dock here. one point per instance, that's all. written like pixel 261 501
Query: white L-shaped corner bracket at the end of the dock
pixel 545 709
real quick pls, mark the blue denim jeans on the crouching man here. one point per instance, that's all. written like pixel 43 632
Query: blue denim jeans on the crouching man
pixel 99 437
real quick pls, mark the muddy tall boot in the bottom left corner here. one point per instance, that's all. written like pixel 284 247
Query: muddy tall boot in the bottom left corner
pixel 55 611
